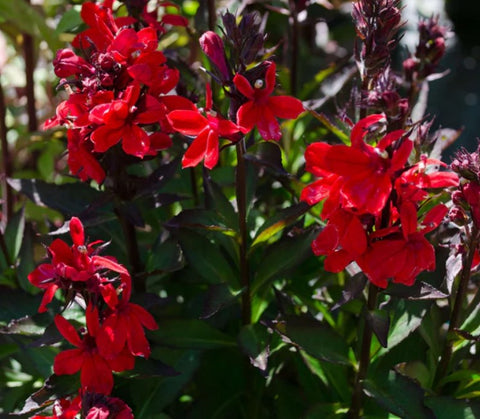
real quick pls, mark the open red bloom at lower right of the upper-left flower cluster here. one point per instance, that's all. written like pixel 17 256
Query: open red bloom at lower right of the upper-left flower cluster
pixel 121 119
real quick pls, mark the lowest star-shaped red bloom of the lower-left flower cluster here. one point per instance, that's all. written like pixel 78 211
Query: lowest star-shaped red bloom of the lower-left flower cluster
pixel 96 371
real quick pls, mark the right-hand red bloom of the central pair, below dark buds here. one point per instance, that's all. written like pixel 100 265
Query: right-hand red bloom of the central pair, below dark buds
pixel 261 109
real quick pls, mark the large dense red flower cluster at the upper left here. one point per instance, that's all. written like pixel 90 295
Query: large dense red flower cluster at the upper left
pixel 119 88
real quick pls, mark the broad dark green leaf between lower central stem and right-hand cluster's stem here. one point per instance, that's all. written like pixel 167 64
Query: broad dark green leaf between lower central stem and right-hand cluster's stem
pixel 316 338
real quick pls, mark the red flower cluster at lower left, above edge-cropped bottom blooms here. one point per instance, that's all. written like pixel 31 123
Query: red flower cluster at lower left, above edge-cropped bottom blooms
pixel 114 332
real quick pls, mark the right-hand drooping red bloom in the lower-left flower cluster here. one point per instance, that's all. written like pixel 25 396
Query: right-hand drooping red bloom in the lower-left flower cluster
pixel 124 325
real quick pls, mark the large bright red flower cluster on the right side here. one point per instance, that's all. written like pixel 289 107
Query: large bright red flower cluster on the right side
pixel 373 203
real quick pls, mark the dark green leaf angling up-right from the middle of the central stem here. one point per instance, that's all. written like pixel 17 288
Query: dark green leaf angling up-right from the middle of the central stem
pixel 285 254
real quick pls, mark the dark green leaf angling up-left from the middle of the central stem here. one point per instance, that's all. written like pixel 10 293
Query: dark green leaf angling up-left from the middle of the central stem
pixel 206 258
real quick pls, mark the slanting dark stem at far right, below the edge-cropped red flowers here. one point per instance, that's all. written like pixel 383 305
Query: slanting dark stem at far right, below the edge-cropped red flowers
pixel 455 316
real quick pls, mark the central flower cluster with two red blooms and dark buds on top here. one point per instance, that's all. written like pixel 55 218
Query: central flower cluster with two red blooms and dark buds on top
pixel 250 92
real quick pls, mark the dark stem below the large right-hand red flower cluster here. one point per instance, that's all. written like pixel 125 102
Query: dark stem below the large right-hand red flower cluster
pixel 364 363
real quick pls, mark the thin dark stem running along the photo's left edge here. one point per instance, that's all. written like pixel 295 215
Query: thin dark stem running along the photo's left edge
pixel 6 161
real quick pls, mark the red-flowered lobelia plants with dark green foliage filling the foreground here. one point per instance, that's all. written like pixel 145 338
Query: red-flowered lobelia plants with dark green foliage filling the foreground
pixel 319 263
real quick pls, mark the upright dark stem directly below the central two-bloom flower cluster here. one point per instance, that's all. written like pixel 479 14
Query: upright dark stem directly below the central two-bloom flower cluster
pixel 241 189
